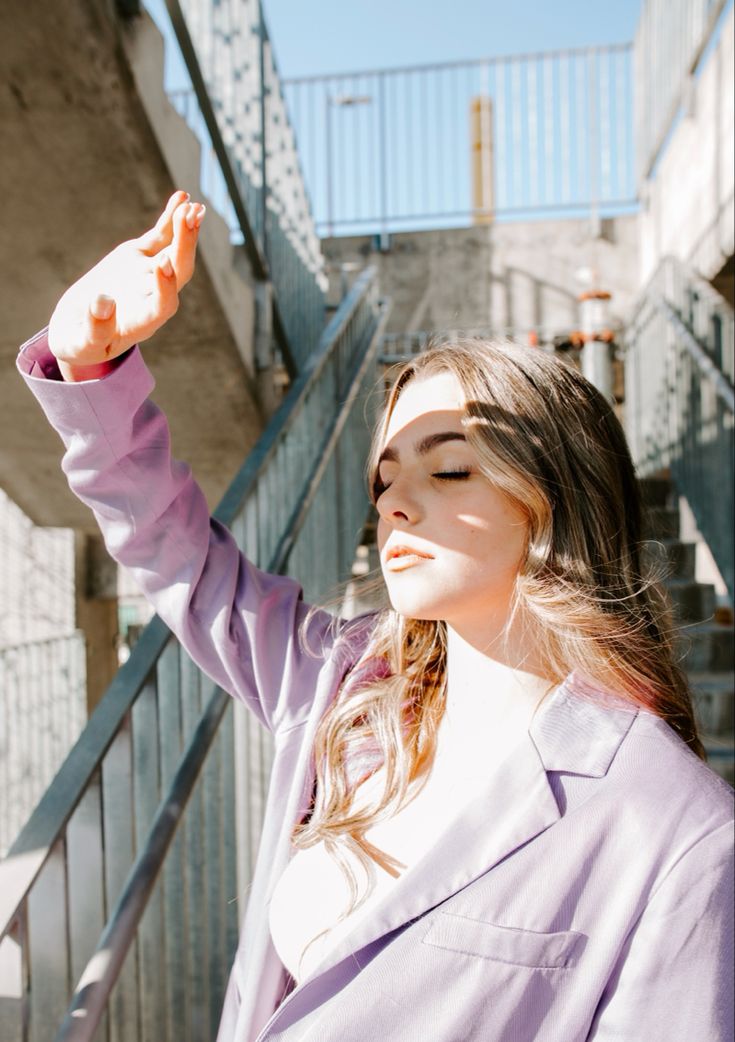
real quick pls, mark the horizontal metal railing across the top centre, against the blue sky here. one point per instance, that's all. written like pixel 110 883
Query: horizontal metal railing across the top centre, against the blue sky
pixel 445 145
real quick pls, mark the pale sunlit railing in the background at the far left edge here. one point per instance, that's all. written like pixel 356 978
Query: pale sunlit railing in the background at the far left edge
pixel 43 710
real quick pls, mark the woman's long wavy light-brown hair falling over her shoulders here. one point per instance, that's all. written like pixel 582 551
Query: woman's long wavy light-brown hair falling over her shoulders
pixel 553 444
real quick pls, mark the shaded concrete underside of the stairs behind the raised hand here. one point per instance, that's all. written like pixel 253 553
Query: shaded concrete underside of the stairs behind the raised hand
pixel 81 170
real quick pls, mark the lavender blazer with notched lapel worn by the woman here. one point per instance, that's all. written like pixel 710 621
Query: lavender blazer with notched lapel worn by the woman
pixel 585 894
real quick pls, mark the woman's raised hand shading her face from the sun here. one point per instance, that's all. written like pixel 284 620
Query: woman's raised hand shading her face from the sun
pixel 129 295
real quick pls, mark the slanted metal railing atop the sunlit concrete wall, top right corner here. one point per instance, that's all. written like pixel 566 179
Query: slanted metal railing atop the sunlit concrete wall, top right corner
pixel 671 42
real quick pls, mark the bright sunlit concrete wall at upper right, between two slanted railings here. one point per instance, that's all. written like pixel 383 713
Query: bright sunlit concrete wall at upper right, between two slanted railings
pixel 689 203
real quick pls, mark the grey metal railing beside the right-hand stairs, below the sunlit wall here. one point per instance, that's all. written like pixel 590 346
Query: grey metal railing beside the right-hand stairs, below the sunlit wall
pixel 680 403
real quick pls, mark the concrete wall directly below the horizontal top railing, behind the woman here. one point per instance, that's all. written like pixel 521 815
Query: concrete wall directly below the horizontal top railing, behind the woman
pixel 510 276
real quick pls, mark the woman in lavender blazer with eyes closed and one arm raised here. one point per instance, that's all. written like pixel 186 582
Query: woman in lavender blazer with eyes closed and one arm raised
pixel 489 817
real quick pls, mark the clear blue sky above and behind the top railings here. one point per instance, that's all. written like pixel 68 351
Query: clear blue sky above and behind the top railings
pixel 349 37
